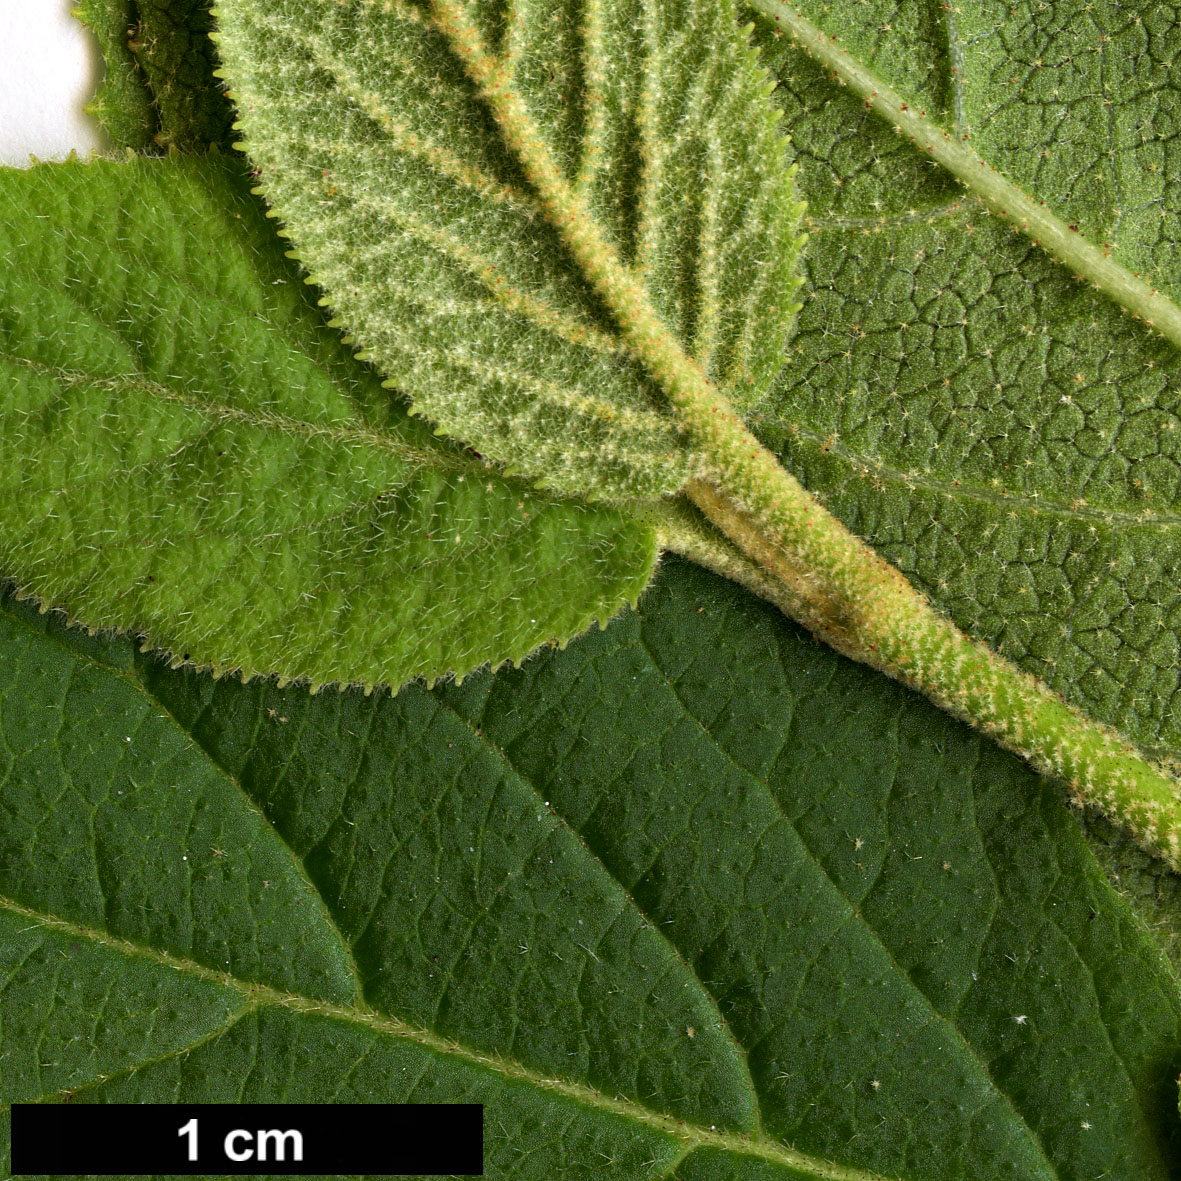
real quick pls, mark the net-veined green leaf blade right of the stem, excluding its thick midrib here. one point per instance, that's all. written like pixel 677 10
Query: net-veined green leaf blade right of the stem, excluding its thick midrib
pixel 996 428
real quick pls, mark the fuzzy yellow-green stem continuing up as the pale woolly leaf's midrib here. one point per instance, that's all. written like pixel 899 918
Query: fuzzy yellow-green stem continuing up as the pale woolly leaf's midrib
pixel 831 580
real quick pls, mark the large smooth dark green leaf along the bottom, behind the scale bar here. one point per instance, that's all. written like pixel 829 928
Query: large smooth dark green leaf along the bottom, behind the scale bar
pixel 693 898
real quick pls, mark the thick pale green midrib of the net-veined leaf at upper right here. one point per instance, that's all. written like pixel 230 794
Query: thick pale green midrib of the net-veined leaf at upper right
pixel 1089 262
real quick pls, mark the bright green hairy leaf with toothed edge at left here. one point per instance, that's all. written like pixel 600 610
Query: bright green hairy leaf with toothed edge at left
pixel 190 454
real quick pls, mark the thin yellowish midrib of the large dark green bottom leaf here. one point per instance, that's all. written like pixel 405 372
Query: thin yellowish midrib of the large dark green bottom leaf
pixel 259 997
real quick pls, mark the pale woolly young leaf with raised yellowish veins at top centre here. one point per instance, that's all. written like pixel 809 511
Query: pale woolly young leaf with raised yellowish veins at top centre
pixel 406 194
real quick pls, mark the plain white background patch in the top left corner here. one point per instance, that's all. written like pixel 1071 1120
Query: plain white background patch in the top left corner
pixel 50 68
